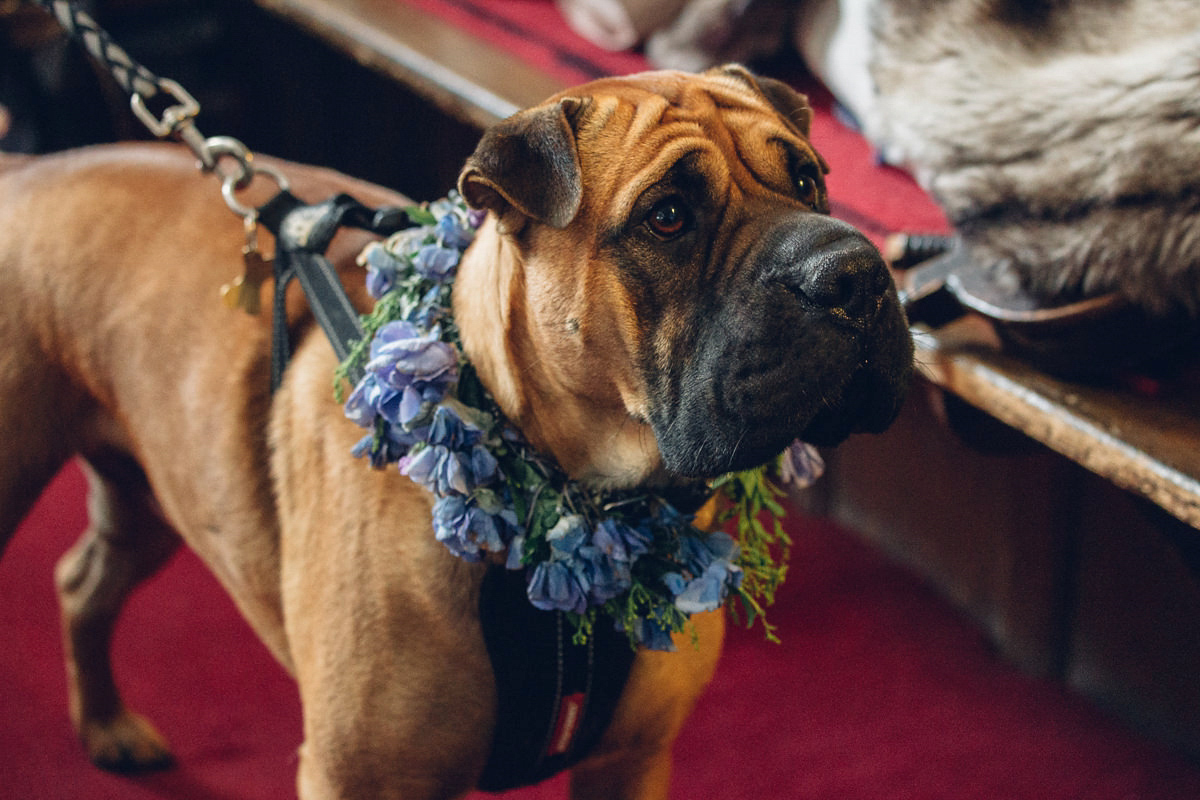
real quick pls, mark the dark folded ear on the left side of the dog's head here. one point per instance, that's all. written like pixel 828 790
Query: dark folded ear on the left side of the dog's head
pixel 529 165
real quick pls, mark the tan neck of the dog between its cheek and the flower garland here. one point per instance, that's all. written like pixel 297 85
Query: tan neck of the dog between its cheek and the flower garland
pixel 591 441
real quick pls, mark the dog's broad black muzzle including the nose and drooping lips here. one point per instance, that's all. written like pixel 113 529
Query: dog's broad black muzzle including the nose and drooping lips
pixel 807 340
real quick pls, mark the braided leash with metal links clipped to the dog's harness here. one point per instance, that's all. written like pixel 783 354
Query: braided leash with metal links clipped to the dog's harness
pixel 226 158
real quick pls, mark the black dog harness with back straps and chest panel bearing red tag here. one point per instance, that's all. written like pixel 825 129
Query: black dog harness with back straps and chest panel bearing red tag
pixel 555 699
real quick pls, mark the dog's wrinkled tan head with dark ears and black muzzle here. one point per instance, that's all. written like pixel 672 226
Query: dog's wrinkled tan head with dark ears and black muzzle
pixel 679 263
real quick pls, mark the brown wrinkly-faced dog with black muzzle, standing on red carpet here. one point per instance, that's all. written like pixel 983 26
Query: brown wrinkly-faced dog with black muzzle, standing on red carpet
pixel 656 294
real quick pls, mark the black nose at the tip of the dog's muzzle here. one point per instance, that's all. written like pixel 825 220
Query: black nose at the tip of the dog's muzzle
pixel 833 267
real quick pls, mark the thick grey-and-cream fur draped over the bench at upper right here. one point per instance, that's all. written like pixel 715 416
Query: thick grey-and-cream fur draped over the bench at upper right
pixel 1063 139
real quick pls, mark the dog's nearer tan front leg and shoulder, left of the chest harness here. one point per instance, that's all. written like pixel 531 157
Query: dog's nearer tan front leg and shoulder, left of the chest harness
pixel 382 619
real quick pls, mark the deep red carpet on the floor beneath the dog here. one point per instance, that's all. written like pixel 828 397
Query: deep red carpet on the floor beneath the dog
pixel 878 691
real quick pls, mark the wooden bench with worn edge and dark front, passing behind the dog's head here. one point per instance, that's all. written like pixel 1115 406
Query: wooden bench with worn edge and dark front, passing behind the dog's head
pixel 1054 555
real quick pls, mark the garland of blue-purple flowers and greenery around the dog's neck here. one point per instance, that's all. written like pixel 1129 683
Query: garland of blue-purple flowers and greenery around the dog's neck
pixel 626 555
